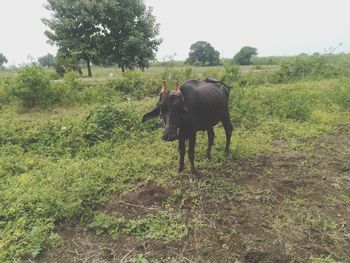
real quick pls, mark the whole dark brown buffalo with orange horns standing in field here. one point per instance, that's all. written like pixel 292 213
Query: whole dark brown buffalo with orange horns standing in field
pixel 197 105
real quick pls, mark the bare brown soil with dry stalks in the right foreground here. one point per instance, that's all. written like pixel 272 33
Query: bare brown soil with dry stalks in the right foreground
pixel 285 207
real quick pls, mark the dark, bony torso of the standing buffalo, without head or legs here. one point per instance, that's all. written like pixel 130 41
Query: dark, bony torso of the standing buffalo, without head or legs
pixel 206 102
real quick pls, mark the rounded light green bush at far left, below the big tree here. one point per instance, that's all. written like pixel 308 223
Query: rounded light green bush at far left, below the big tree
pixel 32 86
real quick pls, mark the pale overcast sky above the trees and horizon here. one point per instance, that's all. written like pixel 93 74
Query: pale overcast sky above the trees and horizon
pixel 274 27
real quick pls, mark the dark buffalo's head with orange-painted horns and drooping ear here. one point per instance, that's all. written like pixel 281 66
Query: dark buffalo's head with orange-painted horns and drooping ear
pixel 171 108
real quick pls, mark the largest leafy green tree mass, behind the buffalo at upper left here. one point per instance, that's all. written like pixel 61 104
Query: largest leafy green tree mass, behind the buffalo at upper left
pixel 122 32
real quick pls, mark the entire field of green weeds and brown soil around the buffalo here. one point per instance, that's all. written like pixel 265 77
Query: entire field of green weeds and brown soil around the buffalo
pixel 82 180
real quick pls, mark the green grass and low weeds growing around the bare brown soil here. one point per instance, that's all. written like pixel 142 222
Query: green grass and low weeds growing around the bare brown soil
pixel 50 171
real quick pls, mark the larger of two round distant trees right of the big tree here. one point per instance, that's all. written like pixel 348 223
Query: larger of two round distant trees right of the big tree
pixel 203 53
